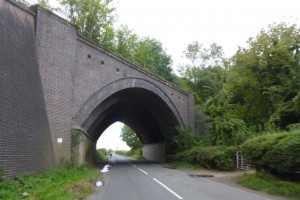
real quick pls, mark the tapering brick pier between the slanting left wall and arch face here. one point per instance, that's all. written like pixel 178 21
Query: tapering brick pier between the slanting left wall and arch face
pixel 56 49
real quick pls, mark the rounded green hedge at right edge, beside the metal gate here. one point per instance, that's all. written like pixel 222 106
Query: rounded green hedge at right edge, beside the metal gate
pixel 276 153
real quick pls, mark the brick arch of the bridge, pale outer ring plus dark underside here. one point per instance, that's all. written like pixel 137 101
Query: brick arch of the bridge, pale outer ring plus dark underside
pixel 128 100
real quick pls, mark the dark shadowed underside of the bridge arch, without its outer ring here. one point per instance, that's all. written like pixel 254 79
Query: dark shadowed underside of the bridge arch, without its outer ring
pixel 142 110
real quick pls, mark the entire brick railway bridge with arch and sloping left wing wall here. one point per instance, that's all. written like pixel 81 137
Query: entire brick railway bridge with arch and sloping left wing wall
pixel 53 81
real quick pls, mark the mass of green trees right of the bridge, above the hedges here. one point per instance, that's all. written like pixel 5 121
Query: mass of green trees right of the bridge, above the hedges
pixel 254 91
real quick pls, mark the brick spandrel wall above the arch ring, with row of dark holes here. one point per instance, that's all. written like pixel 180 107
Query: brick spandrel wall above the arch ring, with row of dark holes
pixel 96 68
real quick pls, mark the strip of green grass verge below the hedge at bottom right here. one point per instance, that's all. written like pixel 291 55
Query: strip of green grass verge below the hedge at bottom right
pixel 265 182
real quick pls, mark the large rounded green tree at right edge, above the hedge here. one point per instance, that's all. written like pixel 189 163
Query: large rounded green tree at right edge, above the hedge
pixel 264 80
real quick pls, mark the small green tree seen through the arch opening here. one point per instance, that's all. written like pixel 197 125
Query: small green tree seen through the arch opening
pixel 131 139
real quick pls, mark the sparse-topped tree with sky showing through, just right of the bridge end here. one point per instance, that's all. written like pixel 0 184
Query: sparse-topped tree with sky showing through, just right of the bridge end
pixel 205 71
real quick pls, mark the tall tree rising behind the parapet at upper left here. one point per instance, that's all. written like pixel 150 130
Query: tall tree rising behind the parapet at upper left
pixel 94 19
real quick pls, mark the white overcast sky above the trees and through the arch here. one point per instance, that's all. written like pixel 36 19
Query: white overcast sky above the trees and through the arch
pixel 177 23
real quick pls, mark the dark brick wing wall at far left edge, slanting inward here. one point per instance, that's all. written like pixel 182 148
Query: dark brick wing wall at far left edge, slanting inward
pixel 25 144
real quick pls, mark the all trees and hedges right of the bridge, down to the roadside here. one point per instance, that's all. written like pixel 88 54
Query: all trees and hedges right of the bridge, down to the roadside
pixel 253 93
